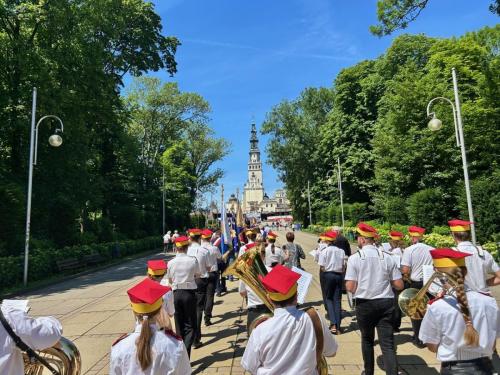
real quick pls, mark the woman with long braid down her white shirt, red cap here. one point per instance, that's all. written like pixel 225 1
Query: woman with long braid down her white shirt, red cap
pixel 461 325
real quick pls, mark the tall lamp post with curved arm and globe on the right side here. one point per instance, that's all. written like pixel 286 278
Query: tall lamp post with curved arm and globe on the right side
pixel 435 124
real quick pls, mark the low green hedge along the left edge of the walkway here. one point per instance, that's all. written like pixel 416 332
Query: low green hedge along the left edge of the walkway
pixel 42 263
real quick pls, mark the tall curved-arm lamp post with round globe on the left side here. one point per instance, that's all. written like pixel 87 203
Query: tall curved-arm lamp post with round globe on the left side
pixel 55 140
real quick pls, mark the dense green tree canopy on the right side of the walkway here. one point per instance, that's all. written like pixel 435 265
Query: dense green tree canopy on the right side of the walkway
pixel 374 120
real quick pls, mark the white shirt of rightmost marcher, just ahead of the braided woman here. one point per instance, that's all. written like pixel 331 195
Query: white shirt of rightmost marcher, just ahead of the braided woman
pixel 479 266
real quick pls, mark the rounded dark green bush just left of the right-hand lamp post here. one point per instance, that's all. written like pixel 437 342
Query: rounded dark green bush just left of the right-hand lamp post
pixel 425 208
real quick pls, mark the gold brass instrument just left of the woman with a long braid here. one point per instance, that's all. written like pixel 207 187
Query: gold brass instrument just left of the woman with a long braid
pixel 413 302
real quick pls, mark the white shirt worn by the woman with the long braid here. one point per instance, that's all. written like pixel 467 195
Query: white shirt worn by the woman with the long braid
pixel 444 325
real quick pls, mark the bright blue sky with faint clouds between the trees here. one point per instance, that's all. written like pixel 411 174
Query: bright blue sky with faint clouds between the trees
pixel 245 57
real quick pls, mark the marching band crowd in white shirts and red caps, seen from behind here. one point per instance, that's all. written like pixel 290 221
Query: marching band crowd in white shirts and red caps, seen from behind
pixel 460 324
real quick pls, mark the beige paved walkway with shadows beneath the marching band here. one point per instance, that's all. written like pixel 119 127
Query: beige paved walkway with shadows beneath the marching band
pixel 94 310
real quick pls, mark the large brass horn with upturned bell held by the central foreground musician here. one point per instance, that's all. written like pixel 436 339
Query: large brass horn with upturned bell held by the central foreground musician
pixel 247 268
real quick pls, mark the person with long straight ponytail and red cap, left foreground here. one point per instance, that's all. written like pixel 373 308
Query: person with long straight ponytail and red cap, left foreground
pixel 150 349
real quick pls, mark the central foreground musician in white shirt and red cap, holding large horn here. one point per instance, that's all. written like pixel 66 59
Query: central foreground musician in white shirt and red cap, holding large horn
pixel 286 343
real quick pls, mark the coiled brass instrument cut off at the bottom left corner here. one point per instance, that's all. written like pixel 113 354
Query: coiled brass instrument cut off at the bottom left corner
pixel 64 357
